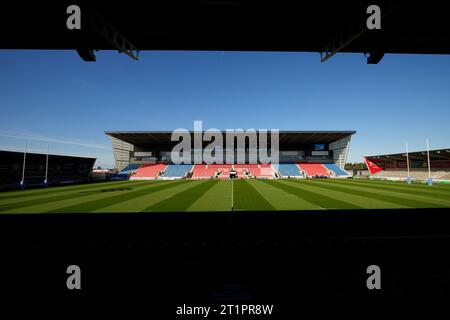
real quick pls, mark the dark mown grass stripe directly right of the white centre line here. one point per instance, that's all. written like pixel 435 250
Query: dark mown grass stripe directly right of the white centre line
pixel 246 197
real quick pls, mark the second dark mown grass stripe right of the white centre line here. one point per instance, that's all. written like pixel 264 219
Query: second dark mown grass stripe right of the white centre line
pixel 318 199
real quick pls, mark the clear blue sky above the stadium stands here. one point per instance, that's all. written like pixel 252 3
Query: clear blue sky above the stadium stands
pixel 55 98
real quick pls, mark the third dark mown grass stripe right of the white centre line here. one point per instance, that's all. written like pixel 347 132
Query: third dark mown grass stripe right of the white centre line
pixel 376 194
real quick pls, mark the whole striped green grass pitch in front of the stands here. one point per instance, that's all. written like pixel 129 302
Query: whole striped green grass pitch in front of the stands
pixel 214 195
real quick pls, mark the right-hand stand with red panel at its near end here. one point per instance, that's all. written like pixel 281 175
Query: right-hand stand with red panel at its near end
pixel 395 166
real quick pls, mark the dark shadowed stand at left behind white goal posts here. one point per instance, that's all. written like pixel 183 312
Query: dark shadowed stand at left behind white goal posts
pixel 58 169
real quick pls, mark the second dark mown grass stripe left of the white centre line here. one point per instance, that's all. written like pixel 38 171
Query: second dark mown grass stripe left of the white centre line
pixel 117 198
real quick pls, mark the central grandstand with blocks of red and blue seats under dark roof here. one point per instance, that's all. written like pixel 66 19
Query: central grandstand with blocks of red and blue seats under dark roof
pixel 147 155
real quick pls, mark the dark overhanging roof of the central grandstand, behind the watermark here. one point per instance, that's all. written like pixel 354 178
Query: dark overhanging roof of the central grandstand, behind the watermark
pixel 286 137
